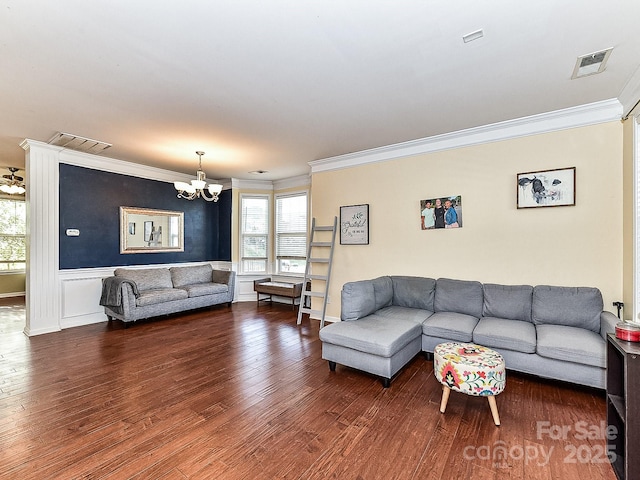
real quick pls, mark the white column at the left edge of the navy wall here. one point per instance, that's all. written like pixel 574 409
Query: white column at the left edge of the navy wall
pixel 42 285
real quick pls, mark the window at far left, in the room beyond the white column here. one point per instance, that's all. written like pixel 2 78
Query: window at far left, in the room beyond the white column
pixel 13 225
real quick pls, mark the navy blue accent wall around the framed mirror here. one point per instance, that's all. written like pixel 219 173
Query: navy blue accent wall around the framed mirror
pixel 90 201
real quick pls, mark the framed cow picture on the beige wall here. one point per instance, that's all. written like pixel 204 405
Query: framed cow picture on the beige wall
pixel 547 188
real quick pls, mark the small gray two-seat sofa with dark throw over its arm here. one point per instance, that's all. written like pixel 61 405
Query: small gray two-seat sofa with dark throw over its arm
pixel 135 293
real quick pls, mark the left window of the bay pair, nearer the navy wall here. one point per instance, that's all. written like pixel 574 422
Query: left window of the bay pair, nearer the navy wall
pixel 254 234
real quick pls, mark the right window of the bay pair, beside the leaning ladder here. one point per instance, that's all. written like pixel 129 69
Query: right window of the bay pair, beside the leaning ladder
pixel 291 233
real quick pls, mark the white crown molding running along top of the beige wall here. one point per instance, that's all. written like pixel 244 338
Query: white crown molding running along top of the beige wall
pixel 583 115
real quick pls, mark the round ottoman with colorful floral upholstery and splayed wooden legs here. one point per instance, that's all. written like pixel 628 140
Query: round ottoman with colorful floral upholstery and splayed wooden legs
pixel 471 369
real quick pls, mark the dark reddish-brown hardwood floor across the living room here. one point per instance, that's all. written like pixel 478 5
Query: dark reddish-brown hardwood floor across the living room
pixel 242 393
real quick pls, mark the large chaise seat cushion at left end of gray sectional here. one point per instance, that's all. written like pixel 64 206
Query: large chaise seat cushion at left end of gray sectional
pixel 373 334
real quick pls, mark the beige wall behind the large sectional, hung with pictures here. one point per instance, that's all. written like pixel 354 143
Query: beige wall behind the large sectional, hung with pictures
pixel 574 246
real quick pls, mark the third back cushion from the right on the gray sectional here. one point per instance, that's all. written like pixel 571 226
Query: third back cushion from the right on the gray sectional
pixel 460 296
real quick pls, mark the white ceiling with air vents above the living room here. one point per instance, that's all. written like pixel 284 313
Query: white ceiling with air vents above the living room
pixel 275 84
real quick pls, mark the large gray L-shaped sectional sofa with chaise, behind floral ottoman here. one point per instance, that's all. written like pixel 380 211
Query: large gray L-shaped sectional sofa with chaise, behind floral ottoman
pixel 552 332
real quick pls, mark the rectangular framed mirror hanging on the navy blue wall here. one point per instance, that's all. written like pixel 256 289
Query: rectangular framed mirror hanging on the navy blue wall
pixel 143 230
